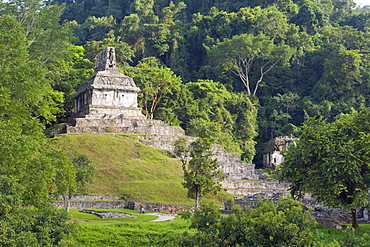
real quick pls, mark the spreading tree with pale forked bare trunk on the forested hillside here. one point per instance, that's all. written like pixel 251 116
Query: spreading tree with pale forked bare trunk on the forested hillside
pixel 250 57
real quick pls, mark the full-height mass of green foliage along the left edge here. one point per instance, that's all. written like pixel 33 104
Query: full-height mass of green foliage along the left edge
pixel 32 170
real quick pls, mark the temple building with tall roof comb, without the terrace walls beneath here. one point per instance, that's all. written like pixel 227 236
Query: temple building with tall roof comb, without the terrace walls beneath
pixel 109 94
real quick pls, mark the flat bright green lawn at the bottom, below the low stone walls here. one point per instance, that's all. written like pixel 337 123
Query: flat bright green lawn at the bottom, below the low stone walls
pixel 94 231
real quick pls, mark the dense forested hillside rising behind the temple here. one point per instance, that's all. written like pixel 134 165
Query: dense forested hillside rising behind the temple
pixel 284 57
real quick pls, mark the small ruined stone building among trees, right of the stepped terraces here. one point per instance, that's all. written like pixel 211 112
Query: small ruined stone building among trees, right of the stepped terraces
pixel 273 155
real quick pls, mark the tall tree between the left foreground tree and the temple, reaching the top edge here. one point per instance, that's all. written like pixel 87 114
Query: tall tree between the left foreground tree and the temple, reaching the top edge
pixel 49 40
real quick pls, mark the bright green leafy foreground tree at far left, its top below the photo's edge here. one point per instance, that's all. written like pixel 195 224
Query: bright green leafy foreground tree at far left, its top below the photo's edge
pixel 24 102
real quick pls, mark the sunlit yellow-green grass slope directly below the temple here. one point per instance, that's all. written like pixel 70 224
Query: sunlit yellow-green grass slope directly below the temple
pixel 126 167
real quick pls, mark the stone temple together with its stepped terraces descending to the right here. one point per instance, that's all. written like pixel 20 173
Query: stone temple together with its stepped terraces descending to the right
pixel 107 102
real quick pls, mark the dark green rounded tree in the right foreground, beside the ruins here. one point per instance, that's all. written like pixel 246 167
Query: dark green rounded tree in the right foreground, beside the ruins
pixel 331 161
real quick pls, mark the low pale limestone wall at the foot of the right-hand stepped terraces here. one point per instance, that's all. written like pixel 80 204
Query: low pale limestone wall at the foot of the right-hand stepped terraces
pixel 245 187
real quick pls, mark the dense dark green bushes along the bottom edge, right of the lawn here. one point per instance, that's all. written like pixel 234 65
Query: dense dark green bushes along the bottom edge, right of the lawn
pixel 286 224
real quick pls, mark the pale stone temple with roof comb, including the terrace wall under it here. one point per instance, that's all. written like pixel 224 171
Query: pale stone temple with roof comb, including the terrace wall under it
pixel 107 102
